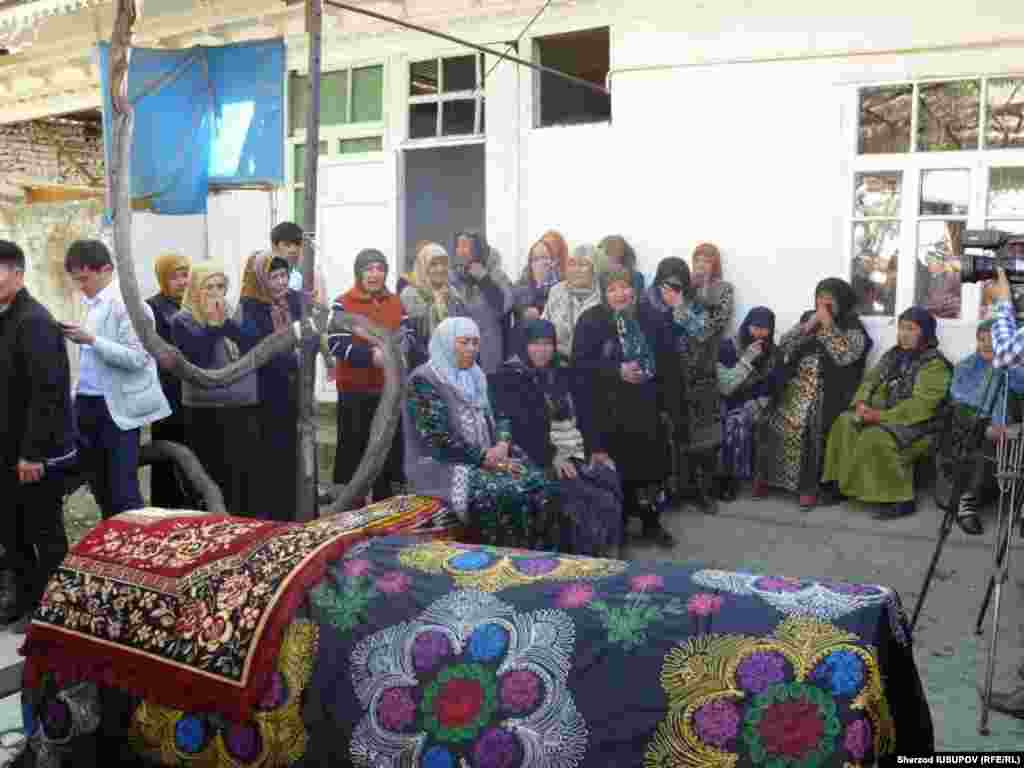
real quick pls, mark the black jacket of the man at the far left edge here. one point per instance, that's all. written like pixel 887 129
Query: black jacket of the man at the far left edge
pixel 36 418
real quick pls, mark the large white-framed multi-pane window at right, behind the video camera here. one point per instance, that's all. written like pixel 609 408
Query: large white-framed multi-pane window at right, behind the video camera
pixel 932 160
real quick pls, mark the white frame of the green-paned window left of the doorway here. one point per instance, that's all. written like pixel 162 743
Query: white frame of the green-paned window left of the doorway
pixel 334 135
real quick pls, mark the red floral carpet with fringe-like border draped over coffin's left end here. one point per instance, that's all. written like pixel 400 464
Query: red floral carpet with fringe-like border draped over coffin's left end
pixel 190 610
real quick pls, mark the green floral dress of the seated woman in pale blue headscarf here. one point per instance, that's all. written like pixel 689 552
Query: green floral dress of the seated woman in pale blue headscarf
pixel 514 510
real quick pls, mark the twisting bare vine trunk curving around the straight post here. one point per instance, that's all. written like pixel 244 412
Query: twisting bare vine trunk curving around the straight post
pixel 389 414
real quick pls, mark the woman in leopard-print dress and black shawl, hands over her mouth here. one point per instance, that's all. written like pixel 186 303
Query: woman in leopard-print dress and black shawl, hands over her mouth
pixel 824 359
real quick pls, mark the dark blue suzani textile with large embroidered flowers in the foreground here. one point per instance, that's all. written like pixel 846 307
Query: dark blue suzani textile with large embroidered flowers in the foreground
pixel 414 654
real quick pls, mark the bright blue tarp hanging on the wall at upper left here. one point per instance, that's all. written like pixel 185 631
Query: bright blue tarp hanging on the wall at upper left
pixel 202 116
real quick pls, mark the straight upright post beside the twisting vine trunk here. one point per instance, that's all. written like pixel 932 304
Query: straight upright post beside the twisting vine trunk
pixel 306 503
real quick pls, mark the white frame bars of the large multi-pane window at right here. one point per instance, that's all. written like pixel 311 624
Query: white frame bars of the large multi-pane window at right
pixel 912 165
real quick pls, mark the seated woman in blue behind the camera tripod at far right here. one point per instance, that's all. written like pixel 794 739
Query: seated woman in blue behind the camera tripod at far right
pixel 980 391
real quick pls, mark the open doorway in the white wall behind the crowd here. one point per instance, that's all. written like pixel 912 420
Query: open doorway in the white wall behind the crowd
pixel 444 191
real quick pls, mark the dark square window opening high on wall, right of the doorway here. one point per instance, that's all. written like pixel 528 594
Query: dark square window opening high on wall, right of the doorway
pixel 584 55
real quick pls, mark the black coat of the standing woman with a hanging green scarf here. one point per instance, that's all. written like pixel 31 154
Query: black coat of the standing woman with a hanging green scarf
pixel 606 404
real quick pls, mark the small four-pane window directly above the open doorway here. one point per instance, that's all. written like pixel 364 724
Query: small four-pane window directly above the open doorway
pixel 446 98
